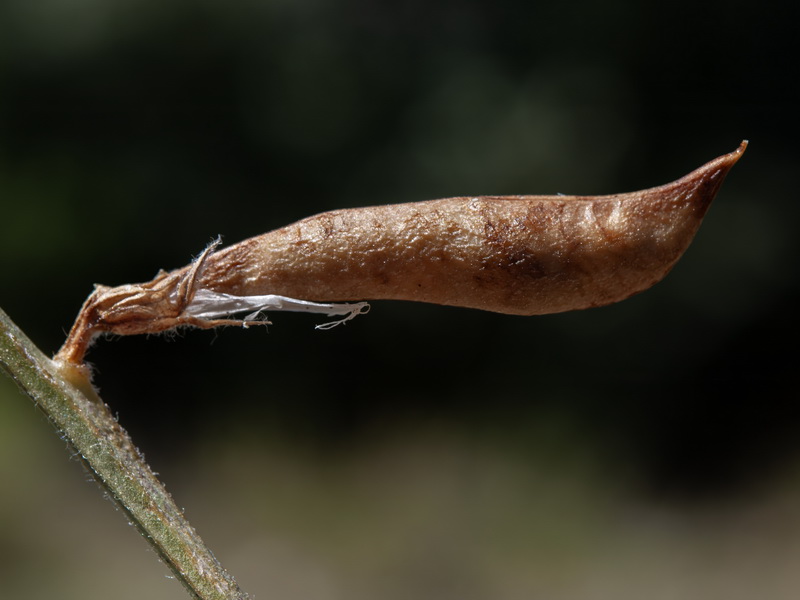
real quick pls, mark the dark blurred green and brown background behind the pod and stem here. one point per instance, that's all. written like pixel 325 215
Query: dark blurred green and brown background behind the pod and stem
pixel 646 449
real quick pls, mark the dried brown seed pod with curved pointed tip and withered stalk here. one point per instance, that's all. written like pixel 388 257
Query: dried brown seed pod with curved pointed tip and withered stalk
pixel 523 255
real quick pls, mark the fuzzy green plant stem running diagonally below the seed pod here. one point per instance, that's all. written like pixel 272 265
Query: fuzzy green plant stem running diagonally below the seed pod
pixel 79 415
